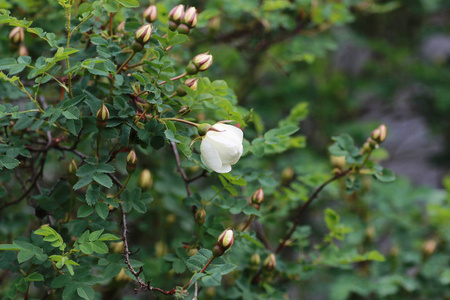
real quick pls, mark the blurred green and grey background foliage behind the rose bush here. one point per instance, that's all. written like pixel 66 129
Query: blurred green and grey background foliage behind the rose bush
pixel 346 66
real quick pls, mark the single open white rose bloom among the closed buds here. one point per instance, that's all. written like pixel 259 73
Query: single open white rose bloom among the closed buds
pixel 222 148
